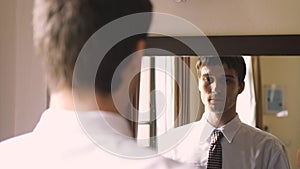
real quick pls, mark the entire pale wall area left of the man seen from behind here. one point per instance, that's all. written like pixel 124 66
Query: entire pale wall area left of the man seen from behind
pixel 22 88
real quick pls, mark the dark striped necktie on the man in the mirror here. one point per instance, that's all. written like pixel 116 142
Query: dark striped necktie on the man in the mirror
pixel 215 151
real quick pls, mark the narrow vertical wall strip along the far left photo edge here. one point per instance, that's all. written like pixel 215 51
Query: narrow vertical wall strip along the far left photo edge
pixel 7 67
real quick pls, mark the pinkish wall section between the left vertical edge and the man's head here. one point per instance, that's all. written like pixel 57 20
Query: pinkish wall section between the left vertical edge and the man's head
pixel 30 84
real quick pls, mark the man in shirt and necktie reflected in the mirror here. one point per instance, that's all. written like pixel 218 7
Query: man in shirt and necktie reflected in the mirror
pixel 221 80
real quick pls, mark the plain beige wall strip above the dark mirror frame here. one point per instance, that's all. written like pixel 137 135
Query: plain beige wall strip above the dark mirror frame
pixel 230 17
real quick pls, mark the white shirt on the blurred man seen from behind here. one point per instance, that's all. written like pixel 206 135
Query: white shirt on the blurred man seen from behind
pixel 68 140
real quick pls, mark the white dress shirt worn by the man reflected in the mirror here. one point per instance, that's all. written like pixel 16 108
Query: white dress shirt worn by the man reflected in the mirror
pixel 243 147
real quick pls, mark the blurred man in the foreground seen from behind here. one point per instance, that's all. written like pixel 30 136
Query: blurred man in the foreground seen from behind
pixel 76 131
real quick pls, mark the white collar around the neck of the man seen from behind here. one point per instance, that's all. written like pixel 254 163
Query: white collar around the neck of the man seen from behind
pixel 94 121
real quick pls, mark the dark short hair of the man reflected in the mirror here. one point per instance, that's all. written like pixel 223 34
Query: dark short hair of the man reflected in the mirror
pixel 233 62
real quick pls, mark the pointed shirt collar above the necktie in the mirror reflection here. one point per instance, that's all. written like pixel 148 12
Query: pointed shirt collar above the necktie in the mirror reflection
pixel 229 130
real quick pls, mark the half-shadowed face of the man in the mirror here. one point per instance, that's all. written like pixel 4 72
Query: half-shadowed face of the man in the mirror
pixel 219 88
